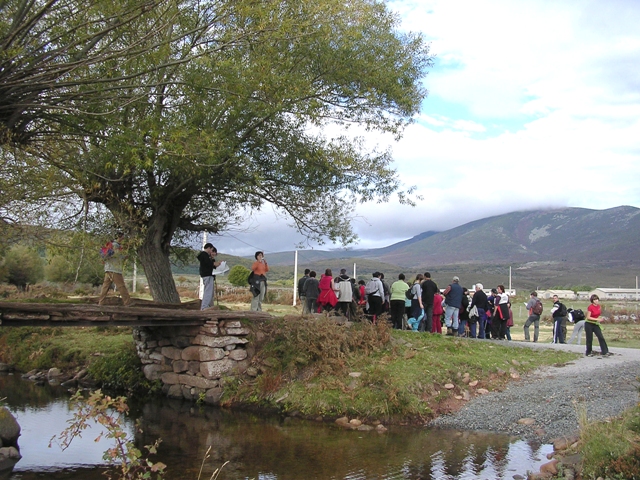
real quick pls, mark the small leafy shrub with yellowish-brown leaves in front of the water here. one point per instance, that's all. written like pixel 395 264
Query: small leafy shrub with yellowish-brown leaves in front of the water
pixel 129 462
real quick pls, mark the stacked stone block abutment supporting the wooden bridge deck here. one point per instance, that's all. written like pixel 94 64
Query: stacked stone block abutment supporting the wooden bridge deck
pixel 194 361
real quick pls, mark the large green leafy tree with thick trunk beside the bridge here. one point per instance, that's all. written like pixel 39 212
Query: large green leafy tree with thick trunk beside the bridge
pixel 220 110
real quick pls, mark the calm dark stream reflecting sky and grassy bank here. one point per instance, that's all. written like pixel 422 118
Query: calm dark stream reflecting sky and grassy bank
pixel 259 447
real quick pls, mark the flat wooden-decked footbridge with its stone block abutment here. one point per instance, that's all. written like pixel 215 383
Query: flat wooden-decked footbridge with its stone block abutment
pixel 189 350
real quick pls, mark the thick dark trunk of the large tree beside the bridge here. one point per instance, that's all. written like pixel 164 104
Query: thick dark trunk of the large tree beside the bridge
pixel 154 256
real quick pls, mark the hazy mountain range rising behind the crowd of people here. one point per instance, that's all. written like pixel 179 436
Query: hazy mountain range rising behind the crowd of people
pixel 559 247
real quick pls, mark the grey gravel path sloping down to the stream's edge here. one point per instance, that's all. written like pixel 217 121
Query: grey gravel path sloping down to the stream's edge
pixel 550 395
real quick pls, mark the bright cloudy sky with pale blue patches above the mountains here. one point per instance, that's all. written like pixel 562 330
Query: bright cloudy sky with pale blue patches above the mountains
pixel 532 104
